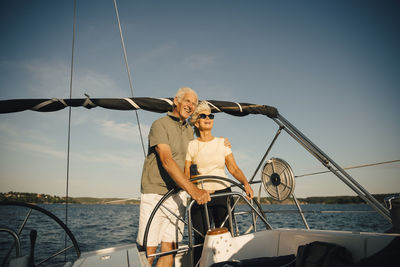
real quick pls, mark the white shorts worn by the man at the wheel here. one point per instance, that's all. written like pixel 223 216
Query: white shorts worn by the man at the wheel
pixel 165 227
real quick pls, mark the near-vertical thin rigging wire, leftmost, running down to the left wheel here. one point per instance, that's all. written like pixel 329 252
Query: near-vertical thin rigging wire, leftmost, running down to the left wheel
pixel 69 123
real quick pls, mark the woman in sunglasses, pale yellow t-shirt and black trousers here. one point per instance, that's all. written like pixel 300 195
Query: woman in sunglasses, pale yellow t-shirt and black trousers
pixel 211 156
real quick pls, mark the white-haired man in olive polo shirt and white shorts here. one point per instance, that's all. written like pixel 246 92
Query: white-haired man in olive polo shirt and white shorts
pixel 163 170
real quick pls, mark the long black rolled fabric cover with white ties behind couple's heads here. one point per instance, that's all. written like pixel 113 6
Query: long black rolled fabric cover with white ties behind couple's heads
pixel 159 105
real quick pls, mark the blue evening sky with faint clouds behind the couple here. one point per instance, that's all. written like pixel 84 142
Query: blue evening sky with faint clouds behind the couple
pixel 332 68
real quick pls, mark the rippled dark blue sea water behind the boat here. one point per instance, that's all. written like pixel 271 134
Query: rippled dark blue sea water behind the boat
pixel 101 226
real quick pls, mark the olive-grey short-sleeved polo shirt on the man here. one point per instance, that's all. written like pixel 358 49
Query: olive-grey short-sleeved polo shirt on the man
pixel 171 131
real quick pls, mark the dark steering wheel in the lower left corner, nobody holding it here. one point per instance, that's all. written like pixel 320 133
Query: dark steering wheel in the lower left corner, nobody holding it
pixel 16 234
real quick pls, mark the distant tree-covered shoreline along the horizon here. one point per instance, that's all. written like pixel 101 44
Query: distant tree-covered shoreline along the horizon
pixel 48 199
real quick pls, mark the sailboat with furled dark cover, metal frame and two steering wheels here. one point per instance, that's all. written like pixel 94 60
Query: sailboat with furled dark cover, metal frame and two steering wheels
pixel 260 243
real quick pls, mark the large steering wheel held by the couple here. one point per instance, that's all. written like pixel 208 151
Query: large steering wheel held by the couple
pixel 185 248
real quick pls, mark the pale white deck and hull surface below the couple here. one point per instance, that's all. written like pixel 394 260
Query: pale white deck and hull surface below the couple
pixel 268 243
